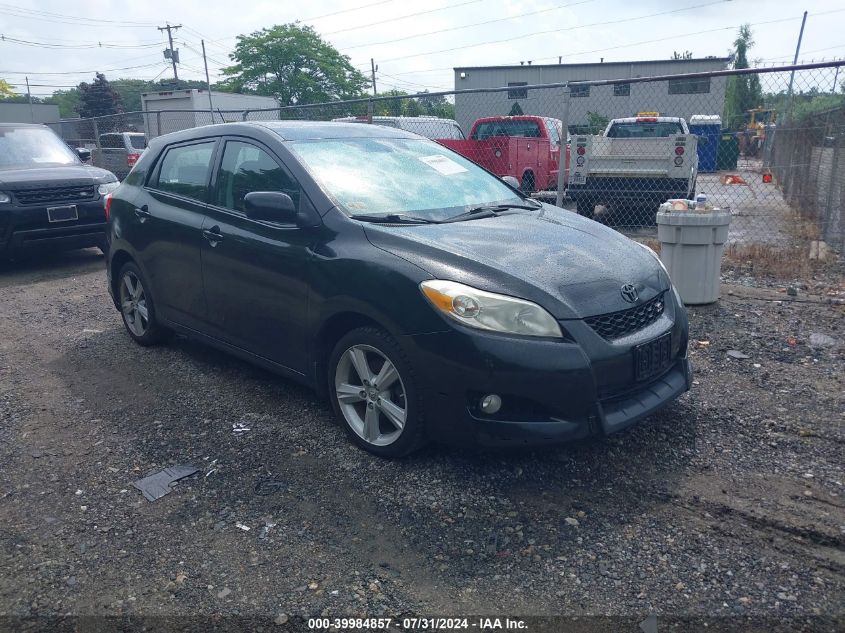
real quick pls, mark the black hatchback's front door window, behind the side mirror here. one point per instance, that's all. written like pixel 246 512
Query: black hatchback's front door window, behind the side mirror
pixel 245 168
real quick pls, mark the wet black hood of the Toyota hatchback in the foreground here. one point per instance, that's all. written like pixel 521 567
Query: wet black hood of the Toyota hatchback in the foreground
pixel 572 266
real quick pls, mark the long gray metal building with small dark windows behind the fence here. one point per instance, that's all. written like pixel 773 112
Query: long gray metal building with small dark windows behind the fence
pixel 681 98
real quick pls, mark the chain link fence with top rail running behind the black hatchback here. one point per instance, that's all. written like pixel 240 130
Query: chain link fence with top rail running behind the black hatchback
pixel 626 145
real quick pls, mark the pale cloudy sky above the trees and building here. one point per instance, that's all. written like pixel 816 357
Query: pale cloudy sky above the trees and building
pixel 415 45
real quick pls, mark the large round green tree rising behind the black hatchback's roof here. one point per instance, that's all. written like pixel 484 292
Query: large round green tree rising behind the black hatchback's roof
pixel 294 64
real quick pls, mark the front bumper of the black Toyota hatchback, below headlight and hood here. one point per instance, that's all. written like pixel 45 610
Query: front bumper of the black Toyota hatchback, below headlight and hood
pixel 552 391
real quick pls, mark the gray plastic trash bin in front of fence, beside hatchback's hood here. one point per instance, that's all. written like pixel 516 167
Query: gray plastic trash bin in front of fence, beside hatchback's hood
pixel 691 245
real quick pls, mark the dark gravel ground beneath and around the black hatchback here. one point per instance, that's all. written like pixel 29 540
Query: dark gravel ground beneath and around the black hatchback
pixel 728 504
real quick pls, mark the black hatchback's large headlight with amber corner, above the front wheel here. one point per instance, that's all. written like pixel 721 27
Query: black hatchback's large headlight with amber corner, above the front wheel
pixel 490 311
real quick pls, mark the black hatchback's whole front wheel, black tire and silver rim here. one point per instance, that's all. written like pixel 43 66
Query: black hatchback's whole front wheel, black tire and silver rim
pixel 374 393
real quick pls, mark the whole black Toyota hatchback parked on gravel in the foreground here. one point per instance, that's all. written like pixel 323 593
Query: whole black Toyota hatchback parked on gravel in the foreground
pixel 423 295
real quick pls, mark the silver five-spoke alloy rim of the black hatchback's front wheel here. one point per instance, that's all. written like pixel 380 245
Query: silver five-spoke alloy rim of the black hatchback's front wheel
pixel 371 395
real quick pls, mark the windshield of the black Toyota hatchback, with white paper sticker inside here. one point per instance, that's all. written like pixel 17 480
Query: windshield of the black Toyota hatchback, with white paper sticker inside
pixel 381 176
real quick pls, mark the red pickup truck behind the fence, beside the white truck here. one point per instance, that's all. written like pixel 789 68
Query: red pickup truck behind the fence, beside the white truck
pixel 525 147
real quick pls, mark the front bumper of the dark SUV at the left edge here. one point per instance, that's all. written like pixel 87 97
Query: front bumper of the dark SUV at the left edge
pixel 26 229
